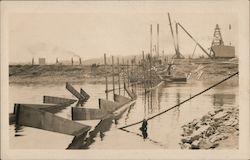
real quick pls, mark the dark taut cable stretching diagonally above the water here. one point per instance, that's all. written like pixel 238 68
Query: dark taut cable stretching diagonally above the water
pixel 181 102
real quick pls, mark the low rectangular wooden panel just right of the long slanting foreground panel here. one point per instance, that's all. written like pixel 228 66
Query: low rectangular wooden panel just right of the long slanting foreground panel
pixel 79 113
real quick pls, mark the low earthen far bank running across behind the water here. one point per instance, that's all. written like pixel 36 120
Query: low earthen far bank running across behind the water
pixel 208 71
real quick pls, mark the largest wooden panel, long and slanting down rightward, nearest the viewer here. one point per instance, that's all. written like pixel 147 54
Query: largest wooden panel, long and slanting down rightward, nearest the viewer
pixel 31 117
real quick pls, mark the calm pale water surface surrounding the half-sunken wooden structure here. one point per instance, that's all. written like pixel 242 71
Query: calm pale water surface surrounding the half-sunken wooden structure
pixel 162 132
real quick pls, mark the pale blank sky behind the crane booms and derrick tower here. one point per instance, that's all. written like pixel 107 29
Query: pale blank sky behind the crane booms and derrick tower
pixel 112 28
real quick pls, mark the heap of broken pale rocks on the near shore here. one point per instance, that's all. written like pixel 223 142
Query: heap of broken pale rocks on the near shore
pixel 212 130
